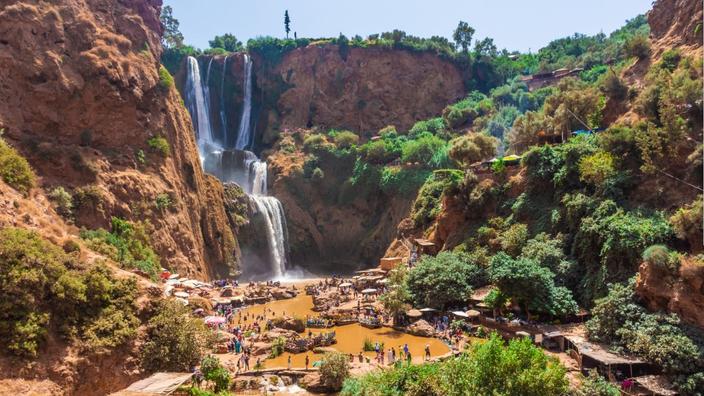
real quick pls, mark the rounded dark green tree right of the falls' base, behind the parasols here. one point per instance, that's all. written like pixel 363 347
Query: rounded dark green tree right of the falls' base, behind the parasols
pixel 444 279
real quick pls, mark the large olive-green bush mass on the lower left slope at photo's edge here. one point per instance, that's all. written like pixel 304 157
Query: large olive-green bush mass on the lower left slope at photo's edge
pixel 42 289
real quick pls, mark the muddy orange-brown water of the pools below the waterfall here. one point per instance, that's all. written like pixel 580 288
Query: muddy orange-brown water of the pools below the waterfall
pixel 350 338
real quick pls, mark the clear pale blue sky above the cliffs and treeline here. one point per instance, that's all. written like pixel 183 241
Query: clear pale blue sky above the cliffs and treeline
pixel 514 24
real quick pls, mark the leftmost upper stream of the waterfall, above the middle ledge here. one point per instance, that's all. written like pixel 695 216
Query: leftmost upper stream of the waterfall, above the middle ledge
pixel 198 104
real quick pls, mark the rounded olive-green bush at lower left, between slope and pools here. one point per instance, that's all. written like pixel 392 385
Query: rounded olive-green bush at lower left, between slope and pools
pixel 175 340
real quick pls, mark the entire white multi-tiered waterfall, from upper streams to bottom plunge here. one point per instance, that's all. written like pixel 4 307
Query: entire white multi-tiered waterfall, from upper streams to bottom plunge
pixel 239 165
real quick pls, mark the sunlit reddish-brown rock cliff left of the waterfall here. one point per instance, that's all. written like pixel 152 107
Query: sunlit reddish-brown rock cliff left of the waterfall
pixel 82 96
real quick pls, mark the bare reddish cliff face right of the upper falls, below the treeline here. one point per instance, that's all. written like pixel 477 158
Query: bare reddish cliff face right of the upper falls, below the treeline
pixel 364 89
